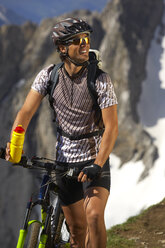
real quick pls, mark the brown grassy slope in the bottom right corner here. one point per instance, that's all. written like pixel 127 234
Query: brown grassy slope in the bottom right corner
pixel 145 230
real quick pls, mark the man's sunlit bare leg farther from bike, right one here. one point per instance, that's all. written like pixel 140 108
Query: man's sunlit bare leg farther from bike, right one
pixel 94 205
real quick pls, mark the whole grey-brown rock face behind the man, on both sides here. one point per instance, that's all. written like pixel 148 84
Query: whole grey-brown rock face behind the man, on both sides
pixel 123 32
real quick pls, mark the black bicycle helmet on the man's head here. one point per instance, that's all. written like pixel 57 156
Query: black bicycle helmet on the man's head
pixel 66 29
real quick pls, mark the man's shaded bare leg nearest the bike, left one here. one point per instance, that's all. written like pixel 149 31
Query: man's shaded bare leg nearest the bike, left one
pixel 76 220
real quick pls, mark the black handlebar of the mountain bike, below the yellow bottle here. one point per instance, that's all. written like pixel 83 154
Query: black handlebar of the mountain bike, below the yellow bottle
pixel 43 163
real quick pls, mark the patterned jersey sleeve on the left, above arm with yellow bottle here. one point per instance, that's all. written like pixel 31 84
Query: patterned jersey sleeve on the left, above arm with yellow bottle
pixel 40 83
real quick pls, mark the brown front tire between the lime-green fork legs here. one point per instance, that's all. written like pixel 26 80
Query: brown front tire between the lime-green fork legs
pixel 34 234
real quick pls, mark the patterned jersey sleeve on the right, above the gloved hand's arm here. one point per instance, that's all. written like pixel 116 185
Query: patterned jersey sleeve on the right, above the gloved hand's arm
pixel 105 90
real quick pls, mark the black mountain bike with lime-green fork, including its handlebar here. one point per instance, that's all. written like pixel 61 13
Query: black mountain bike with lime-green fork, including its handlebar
pixel 50 216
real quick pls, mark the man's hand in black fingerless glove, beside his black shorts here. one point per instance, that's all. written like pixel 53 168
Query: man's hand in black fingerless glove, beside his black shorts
pixel 89 173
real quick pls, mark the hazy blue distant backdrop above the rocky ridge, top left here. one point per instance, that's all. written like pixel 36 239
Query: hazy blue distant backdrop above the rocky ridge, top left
pixel 39 10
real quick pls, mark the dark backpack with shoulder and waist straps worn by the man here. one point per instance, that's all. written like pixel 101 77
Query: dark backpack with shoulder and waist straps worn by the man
pixel 93 72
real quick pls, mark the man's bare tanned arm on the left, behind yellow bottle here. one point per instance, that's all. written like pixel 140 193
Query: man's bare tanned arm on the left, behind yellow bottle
pixel 26 113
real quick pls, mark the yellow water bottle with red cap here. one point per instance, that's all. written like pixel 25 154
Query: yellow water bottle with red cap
pixel 16 146
